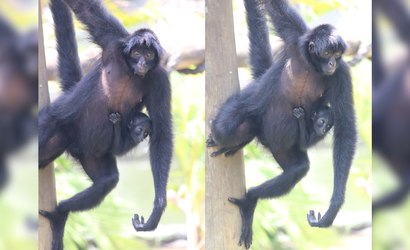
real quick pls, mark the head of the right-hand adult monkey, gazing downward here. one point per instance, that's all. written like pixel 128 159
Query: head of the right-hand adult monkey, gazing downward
pixel 323 48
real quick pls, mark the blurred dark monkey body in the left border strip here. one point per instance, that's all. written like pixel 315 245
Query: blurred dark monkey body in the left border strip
pixel 18 91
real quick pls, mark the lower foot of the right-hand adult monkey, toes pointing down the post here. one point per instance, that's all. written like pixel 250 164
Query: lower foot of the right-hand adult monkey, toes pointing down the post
pixel 247 209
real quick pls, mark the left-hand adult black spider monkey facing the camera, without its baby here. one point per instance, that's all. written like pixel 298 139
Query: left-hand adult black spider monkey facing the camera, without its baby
pixel 125 79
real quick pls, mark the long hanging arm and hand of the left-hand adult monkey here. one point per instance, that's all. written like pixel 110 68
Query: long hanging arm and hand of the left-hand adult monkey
pixel 158 103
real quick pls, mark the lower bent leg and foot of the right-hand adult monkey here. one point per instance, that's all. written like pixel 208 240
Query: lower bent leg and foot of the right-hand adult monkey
pixel 295 165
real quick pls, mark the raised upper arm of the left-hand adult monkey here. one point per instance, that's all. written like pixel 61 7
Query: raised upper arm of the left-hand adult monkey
pixel 103 27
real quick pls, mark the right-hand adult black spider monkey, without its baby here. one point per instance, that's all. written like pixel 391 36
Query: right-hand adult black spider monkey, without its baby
pixel 308 68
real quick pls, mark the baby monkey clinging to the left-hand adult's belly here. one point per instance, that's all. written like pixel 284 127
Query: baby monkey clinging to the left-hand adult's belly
pixel 138 128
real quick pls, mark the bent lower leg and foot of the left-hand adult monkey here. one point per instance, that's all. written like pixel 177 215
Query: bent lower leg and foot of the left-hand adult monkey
pixel 104 174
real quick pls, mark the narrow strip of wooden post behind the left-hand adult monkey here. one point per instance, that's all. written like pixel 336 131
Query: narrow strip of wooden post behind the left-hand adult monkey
pixel 46 182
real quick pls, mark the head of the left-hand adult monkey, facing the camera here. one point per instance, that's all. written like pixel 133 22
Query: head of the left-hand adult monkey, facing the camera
pixel 142 51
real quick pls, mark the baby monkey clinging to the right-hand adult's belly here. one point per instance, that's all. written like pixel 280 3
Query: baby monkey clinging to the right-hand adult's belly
pixel 313 128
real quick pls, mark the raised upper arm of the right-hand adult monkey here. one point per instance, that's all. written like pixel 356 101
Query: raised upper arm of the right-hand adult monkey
pixel 288 24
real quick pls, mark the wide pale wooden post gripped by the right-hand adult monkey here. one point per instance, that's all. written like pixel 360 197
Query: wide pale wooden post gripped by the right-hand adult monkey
pixel 224 176
